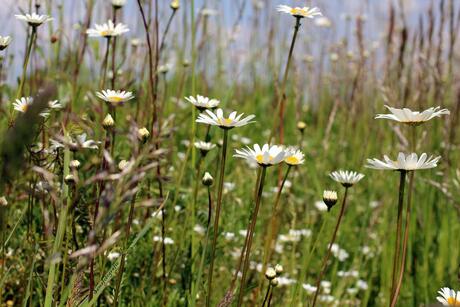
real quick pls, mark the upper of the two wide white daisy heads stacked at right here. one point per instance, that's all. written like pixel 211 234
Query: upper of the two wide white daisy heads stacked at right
pixel 407 116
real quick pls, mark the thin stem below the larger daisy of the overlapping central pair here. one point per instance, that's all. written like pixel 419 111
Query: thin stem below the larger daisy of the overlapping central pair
pixel 250 236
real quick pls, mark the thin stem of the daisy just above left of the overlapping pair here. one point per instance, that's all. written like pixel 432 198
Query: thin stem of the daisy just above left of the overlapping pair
pixel 216 218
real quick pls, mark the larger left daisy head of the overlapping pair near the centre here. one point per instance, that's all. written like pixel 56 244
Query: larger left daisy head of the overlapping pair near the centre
pixel 268 155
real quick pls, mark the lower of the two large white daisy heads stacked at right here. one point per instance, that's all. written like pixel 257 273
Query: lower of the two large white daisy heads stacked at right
pixel 410 162
